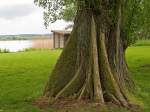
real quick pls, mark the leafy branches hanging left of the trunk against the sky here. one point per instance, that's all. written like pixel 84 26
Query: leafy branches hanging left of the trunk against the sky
pixel 57 9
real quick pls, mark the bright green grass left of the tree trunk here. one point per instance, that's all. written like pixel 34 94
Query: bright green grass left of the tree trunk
pixel 22 78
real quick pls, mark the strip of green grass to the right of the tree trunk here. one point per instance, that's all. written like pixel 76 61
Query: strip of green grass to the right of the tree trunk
pixel 138 59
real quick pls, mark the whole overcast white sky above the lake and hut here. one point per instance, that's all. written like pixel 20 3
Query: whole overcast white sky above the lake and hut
pixel 23 17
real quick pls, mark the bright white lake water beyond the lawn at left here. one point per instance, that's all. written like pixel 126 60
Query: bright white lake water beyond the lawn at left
pixel 17 45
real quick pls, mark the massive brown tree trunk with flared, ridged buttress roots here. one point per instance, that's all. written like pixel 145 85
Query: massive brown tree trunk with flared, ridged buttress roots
pixel 92 65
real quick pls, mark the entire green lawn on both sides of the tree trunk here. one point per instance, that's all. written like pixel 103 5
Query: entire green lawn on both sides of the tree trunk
pixel 24 75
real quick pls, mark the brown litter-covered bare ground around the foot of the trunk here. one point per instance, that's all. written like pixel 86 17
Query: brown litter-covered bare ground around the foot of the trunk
pixel 76 105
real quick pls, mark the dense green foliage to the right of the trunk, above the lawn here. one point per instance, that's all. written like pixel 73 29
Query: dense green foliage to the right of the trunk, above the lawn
pixel 136 20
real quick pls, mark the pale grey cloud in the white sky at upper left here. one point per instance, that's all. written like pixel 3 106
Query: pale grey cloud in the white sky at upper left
pixel 16 11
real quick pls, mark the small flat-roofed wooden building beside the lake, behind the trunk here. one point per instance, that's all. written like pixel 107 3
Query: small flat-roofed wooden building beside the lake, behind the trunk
pixel 60 38
